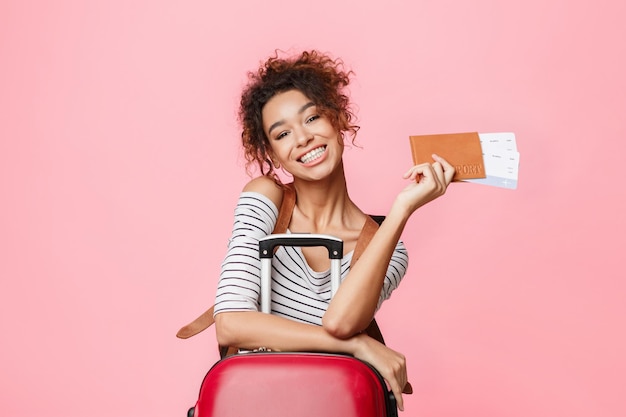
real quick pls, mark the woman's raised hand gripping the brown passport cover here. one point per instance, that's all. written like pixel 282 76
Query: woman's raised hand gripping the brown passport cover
pixel 428 181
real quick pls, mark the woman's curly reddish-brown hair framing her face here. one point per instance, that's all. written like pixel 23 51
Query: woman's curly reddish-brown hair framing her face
pixel 320 78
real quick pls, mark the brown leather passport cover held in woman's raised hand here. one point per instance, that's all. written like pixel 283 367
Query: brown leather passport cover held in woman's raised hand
pixel 462 150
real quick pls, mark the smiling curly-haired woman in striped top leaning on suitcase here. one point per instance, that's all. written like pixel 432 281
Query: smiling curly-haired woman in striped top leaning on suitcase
pixel 295 115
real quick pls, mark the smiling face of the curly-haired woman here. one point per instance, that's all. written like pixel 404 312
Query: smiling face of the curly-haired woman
pixel 302 141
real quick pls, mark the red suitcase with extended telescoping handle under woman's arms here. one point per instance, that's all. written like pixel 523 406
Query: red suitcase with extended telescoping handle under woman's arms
pixel 276 384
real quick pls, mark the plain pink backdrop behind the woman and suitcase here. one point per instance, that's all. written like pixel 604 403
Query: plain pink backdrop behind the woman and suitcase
pixel 120 168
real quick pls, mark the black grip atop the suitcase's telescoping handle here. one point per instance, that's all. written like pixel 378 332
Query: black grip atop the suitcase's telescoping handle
pixel 269 243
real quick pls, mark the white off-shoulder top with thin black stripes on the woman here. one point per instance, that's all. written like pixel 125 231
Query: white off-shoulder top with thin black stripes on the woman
pixel 298 292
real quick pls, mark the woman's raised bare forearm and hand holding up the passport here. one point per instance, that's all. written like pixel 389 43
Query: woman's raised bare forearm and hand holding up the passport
pixel 354 305
